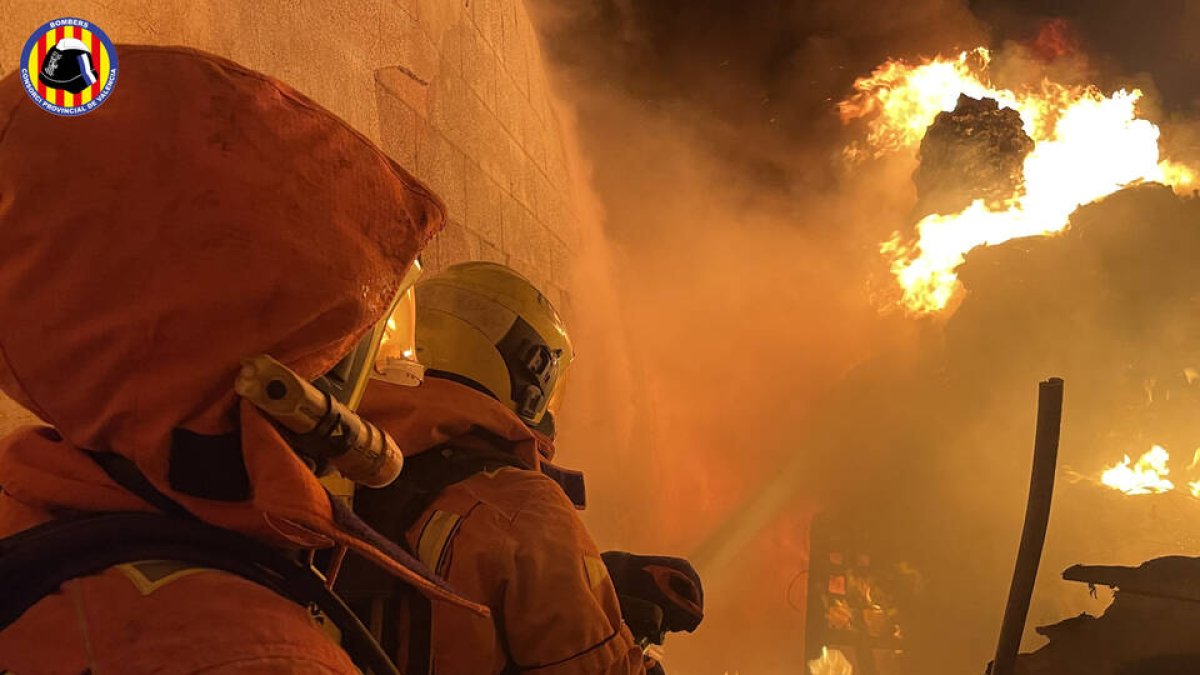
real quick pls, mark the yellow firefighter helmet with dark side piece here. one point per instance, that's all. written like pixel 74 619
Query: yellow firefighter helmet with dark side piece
pixel 488 327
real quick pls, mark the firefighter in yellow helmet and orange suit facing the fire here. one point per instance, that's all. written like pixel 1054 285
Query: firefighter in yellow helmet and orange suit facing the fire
pixel 482 505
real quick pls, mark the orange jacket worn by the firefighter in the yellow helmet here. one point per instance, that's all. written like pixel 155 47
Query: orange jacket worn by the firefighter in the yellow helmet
pixel 507 539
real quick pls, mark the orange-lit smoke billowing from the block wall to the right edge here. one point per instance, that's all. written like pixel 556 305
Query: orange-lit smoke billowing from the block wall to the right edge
pixel 735 373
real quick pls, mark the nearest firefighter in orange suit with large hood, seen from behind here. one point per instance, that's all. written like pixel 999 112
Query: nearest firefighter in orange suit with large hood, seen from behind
pixel 203 216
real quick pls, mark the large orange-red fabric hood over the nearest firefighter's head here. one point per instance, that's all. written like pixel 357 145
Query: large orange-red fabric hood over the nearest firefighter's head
pixel 203 214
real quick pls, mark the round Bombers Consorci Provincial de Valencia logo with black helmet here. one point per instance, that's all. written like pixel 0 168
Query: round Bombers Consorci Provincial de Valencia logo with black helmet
pixel 69 67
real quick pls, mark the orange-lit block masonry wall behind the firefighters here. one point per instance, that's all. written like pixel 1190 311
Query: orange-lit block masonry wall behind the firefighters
pixel 455 91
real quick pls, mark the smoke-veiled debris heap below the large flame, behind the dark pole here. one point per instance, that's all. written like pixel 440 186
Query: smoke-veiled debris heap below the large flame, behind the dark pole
pixel 1109 303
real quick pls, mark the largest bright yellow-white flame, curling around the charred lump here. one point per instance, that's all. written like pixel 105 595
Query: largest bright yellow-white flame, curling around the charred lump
pixel 1087 147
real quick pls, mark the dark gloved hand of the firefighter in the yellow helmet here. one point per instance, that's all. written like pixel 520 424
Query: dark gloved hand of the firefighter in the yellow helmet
pixel 658 595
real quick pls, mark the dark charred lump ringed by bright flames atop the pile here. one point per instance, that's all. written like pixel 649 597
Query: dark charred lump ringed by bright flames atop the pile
pixel 975 152
